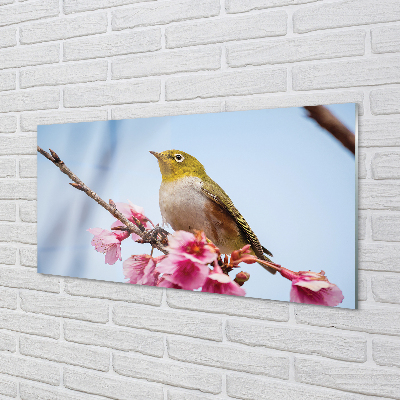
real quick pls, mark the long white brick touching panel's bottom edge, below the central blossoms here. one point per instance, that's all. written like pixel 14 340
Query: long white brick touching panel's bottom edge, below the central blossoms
pixel 250 308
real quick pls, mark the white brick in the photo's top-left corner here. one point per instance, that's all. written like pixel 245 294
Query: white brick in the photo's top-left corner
pixel 28 11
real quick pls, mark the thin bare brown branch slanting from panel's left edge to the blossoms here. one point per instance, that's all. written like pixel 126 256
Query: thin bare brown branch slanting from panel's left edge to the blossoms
pixel 139 229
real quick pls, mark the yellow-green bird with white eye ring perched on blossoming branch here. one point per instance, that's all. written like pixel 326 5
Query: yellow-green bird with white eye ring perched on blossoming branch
pixel 190 200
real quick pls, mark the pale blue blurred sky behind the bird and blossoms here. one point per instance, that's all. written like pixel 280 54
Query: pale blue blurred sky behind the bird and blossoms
pixel 291 180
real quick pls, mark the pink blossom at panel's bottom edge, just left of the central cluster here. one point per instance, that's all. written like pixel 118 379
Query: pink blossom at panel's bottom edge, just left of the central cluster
pixel 141 269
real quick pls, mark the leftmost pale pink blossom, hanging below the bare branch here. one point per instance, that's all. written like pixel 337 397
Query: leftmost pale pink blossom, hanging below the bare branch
pixel 108 243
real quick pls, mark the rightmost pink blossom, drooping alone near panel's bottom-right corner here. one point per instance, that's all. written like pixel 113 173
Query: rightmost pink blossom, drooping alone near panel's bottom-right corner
pixel 312 288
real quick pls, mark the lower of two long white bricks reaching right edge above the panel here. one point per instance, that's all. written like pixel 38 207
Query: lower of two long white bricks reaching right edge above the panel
pixel 349 73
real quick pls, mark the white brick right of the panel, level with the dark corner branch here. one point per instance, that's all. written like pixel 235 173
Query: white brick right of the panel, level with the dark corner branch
pixel 377 132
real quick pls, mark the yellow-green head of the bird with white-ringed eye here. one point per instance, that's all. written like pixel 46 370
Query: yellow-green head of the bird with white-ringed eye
pixel 174 164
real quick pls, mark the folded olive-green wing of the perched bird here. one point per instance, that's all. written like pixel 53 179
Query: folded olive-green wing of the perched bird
pixel 217 194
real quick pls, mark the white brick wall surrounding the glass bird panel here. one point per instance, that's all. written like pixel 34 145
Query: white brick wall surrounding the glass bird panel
pixel 84 60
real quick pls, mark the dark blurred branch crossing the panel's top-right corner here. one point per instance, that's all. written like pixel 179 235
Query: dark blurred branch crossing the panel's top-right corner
pixel 333 125
